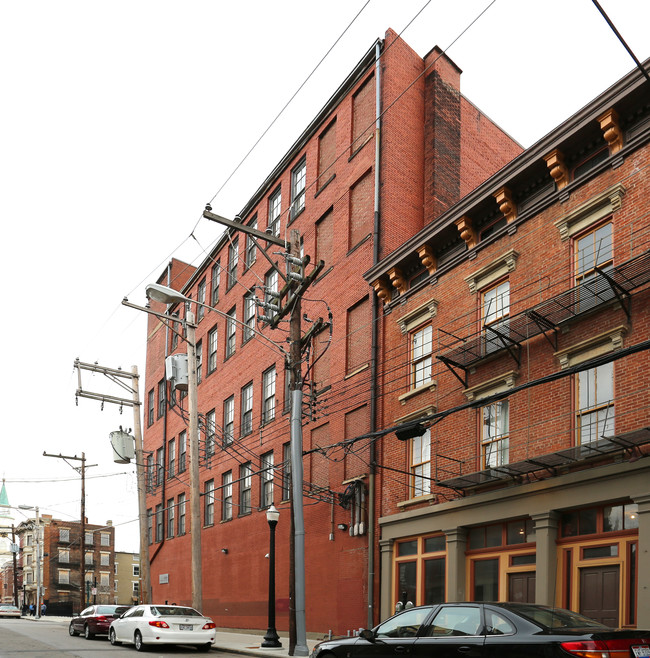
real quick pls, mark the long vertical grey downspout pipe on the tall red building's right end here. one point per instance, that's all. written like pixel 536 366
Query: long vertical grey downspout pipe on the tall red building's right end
pixel 374 348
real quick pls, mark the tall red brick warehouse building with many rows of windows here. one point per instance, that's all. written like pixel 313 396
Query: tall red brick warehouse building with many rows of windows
pixel 396 145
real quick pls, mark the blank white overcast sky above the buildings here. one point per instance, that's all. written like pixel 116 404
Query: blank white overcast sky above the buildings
pixel 119 120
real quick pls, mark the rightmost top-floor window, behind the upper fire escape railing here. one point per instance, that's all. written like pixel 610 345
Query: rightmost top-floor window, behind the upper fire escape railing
pixel 593 250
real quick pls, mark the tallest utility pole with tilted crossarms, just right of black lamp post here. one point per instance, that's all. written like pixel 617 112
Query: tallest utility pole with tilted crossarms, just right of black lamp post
pixel 288 302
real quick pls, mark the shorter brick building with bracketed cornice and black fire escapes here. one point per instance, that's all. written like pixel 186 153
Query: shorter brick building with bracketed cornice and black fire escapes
pixel 514 342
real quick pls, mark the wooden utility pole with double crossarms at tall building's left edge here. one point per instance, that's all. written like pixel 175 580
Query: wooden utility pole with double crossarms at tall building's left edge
pixel 121 378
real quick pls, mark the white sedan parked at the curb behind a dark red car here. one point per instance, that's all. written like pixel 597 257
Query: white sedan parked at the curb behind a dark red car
pixel 162 624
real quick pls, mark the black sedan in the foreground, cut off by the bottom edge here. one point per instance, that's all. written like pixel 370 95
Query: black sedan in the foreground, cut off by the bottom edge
pixel 488 630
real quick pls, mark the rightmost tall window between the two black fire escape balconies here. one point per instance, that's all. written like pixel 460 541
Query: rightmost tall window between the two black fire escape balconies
pixel 595 397
